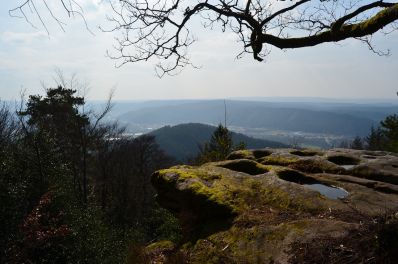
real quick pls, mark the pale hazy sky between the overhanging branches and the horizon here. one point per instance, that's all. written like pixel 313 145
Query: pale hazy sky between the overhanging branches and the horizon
pixel 28 57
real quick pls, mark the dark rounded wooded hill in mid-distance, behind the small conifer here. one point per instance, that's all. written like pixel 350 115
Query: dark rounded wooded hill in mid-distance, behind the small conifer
pixel 182 141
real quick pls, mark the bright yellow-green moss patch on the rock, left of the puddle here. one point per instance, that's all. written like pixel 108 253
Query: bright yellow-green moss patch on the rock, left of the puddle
pixel 235 194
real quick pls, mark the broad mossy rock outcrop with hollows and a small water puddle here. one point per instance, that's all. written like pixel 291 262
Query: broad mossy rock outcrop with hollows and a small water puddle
pixel 284 205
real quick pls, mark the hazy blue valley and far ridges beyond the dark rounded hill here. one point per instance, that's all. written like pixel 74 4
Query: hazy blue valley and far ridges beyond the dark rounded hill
pixel 304 122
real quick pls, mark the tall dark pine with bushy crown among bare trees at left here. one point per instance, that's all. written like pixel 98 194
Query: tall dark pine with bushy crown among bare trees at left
pixel 56 118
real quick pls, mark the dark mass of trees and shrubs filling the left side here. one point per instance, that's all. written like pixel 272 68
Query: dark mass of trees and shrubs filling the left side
pixel 74 190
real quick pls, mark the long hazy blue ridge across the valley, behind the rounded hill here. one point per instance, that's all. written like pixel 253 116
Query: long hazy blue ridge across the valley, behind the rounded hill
pixel 336 119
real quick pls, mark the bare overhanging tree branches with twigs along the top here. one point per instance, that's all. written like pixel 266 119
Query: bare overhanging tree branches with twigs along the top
pixel 163 29
